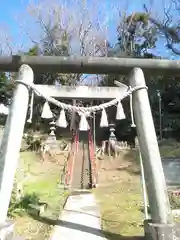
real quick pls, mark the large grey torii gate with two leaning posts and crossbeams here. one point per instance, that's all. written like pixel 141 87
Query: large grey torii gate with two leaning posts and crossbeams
pixel 11 141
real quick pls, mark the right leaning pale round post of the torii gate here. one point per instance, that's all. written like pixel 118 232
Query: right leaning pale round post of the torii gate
pixel 154 176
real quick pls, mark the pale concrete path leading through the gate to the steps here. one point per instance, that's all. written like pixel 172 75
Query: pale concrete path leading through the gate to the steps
pixel 80 219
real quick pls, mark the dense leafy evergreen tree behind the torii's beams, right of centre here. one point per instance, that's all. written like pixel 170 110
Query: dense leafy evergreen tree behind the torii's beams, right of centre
pixel 136 38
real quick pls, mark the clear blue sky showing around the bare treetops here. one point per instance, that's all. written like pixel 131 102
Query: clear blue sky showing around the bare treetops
pixel 11 8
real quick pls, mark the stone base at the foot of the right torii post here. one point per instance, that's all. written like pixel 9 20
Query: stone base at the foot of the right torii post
pixel 154 231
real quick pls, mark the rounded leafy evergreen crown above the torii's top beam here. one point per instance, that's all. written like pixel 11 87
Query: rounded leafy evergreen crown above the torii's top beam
pixel 135 35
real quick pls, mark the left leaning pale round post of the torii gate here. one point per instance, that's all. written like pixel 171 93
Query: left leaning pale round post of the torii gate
pixel 11 140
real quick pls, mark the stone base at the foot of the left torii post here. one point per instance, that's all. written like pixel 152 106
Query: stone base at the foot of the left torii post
pixel 6 230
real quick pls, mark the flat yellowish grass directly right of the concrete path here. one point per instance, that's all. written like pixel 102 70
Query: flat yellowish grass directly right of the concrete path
pixel 120 209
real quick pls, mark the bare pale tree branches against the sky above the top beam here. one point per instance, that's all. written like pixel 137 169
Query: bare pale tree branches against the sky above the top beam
pixel 85 26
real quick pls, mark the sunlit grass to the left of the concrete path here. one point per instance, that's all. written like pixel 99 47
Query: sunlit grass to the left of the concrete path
pixel 42 180
